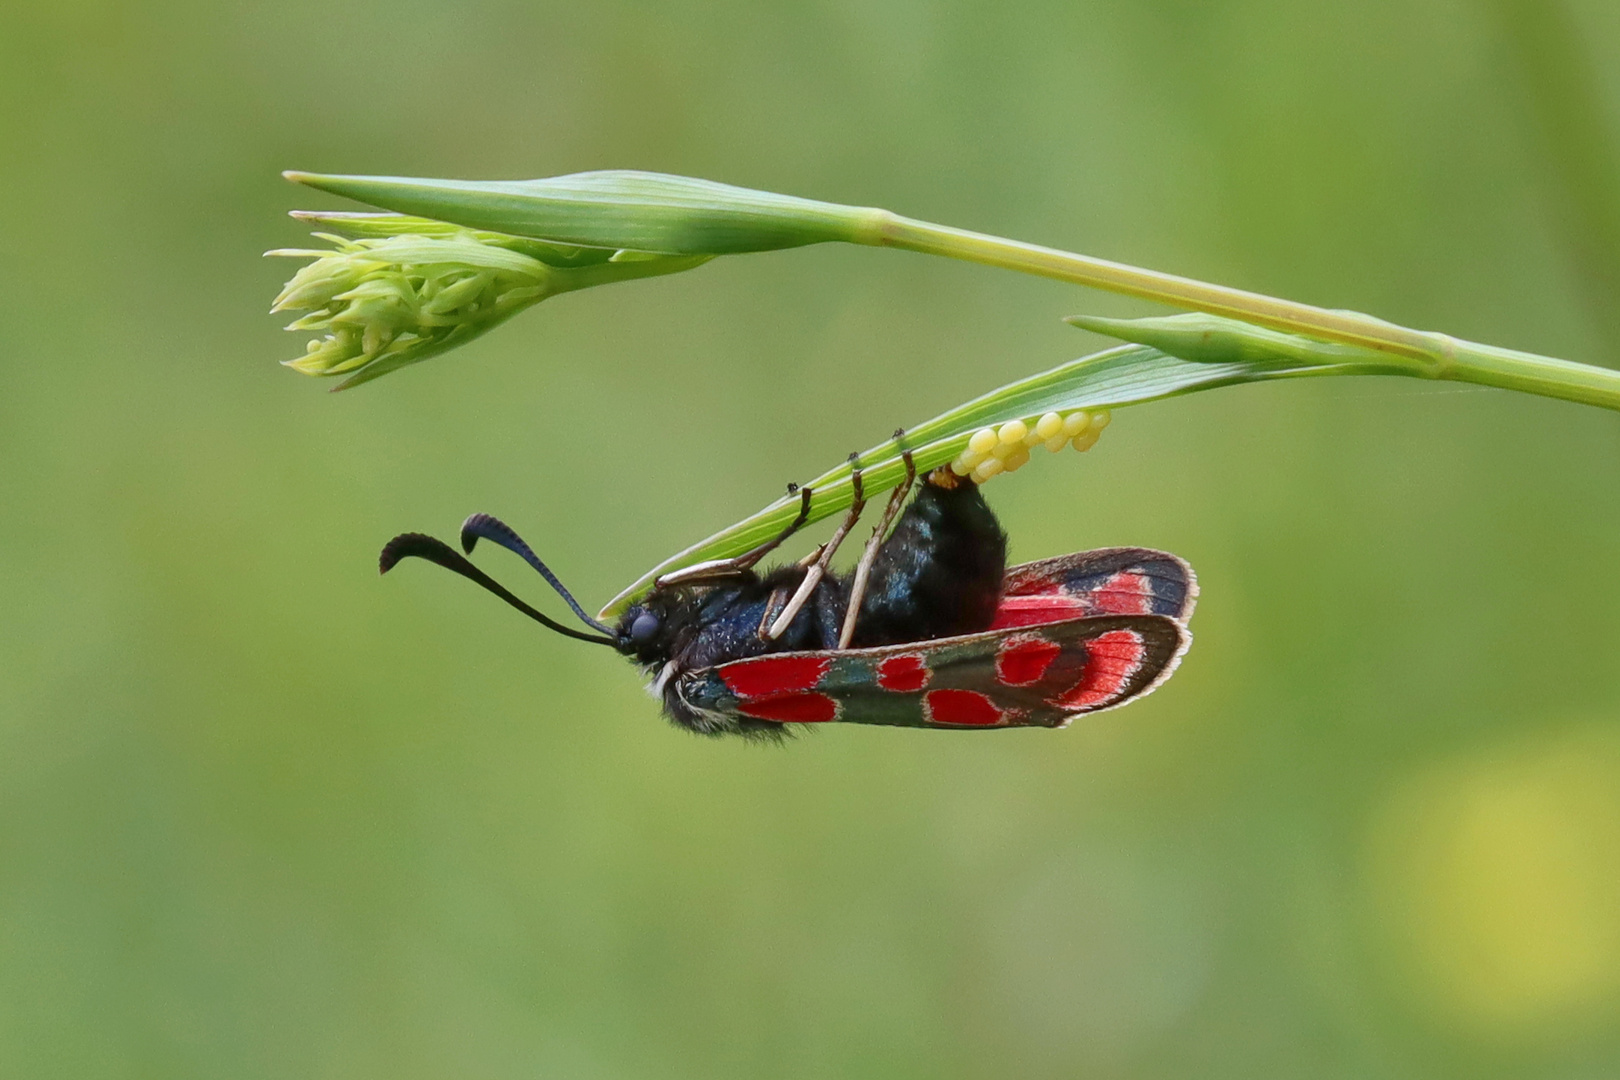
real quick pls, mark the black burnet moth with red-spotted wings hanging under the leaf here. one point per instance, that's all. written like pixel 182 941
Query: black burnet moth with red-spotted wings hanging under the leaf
pixel 931 631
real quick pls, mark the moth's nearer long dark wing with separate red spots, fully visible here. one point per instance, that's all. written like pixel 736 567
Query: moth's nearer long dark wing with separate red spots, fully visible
pixel 1026 678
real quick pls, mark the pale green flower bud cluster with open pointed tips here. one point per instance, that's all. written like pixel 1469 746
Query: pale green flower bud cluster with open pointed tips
pixel 412 289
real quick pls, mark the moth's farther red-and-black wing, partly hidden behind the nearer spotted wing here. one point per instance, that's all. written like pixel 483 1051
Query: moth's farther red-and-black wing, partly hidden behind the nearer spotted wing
pixel 1104 582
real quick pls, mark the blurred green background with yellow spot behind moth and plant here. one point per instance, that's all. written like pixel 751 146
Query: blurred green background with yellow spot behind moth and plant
pixel 263 815
